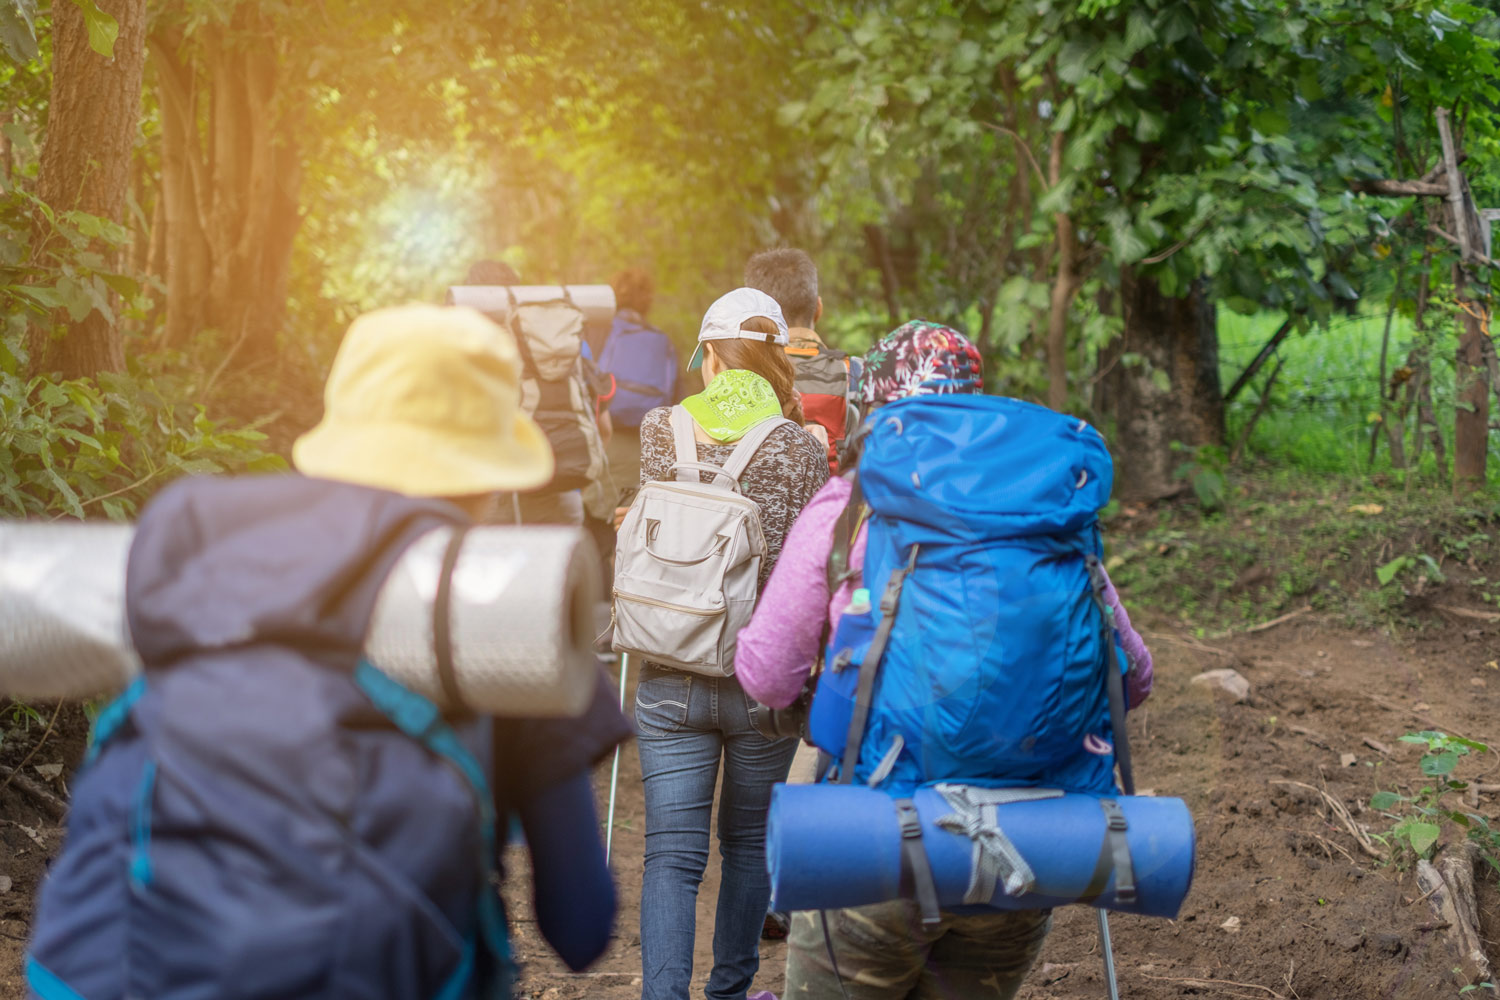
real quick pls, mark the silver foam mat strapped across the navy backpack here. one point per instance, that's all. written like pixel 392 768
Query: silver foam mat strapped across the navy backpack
pixel 521 614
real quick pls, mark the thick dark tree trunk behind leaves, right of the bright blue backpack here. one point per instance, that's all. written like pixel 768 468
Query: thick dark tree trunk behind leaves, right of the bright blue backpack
pixel 1175 338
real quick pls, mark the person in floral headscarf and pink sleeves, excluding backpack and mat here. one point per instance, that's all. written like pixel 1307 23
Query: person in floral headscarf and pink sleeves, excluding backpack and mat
pixel 884 951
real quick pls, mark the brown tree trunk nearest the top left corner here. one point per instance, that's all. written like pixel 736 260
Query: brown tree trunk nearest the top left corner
pixel 94 113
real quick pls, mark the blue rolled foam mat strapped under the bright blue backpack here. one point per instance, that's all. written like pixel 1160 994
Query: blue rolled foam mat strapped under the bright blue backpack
pixel 841 846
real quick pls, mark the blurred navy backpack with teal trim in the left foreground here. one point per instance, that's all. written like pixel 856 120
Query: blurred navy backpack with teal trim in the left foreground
pixel 263 813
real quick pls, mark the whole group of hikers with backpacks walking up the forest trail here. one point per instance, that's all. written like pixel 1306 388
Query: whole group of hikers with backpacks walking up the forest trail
pixel 266 816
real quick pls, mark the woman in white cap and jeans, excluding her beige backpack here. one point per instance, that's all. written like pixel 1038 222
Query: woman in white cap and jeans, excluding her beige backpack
pixel 686 723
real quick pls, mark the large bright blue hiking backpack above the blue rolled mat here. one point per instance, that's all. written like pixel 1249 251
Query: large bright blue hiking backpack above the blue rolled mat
pixel 985 653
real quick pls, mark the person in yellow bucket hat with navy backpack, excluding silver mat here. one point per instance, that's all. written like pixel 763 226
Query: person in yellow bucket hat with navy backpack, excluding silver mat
pixel 265 813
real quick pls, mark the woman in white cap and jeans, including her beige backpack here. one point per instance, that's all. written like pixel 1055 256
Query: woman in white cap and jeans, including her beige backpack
pixel 689 534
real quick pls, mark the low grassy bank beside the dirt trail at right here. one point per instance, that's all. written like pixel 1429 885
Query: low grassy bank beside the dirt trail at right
pixel 1289 540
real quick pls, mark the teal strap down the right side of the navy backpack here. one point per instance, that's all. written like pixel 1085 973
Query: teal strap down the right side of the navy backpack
pixel 421 719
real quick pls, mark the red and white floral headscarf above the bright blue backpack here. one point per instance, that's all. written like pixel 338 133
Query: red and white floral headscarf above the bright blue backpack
pixel 920 359
